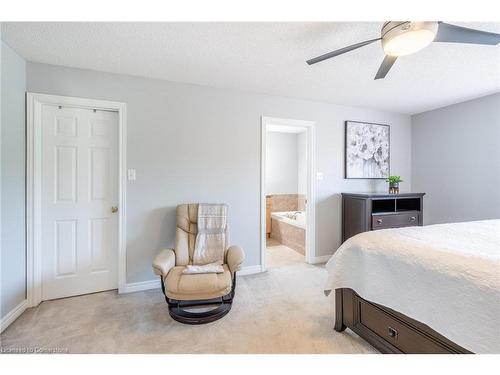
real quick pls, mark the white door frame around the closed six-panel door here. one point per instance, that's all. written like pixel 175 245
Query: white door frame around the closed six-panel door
pixel 34 184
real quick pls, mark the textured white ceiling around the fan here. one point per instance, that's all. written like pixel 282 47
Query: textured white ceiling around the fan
pixel 269 58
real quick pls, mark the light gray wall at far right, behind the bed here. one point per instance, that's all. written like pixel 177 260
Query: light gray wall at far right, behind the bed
pixel 456 160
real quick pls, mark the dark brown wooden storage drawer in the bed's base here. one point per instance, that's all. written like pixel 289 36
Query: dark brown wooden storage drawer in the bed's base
pixel 395 332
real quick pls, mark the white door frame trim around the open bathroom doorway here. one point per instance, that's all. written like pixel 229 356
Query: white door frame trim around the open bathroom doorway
pixel 310 250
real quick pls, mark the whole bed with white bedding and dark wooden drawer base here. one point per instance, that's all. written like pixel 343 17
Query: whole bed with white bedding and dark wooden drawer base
pixel 431 289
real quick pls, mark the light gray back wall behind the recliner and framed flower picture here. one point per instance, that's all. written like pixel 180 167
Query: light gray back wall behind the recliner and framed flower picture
pixel 196 144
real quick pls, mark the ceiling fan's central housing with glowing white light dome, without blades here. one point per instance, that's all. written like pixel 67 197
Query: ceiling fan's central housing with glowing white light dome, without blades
pixel 401 38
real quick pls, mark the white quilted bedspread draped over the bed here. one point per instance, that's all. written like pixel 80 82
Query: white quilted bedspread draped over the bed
pixel 446 276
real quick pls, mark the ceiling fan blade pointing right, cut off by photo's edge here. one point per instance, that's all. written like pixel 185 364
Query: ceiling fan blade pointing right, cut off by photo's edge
pixel 456 34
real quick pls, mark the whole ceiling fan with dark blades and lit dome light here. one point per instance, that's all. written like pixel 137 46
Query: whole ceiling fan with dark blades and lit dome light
pixel 400 38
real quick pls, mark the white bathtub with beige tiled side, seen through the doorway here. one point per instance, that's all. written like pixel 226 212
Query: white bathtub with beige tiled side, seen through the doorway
pixel 289 228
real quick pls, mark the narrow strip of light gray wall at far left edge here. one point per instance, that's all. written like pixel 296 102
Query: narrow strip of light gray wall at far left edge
pixel 13 138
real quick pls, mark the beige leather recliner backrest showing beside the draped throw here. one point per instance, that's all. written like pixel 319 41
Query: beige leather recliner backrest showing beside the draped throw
pixel 185 234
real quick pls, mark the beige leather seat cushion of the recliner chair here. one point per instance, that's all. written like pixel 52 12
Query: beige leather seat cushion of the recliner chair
pixel 199 286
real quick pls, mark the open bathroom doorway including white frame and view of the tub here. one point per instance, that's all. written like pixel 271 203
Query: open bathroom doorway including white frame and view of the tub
pixel 287 192
